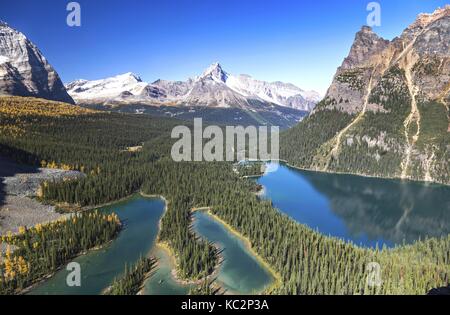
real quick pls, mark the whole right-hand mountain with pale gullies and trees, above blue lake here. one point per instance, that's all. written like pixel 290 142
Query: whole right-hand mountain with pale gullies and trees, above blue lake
pixel 387 111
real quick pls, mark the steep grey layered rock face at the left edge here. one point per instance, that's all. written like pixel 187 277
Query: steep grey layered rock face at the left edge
pixel 24 71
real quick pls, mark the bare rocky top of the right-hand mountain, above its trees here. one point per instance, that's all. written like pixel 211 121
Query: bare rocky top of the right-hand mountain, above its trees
pixel 423 47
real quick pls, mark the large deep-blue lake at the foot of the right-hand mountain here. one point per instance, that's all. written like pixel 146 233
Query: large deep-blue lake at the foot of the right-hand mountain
pixel 366 211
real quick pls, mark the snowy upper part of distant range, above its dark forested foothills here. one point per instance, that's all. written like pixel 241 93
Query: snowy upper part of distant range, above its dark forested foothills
pixel 214 88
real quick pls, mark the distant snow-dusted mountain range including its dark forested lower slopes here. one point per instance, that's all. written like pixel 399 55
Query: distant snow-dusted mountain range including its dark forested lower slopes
pixel 215 95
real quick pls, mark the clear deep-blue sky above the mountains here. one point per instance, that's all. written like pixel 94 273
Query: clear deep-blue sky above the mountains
pixel 298 41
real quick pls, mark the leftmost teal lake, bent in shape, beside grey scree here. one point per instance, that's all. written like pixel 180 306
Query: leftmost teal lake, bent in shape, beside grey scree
pixel 99 268
